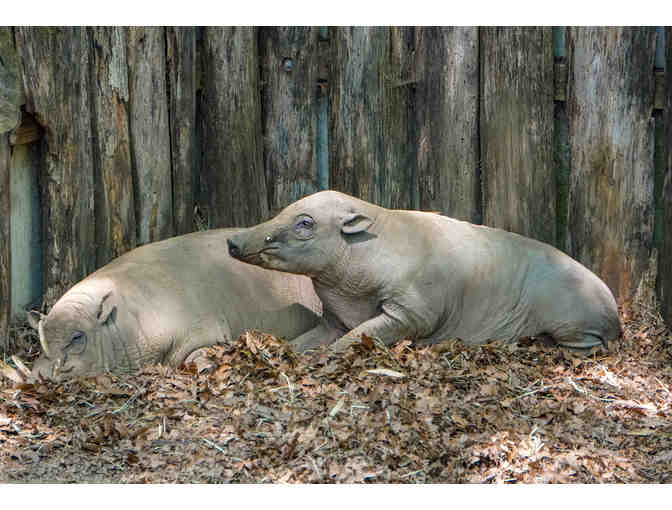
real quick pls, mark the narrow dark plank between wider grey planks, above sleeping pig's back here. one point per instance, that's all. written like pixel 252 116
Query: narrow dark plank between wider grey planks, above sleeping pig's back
pixel 182 80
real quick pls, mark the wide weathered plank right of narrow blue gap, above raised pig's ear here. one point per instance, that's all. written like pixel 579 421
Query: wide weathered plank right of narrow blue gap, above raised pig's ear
pixel 371 150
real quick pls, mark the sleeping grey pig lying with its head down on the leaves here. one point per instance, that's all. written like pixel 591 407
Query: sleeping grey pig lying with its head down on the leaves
pixel 160 302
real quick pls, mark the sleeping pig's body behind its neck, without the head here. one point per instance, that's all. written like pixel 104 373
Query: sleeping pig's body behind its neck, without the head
pixel 191 279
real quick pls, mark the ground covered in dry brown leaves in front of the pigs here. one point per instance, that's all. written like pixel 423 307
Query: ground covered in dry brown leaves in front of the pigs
pixel 254 412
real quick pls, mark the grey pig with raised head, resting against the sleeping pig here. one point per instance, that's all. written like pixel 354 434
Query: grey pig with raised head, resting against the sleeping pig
pixel 394 274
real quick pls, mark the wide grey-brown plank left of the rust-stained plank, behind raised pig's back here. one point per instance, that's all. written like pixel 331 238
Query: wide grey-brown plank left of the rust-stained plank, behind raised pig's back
pixel 516 130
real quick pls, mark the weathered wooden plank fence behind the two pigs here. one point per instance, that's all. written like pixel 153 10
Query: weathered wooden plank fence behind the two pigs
pixel 131 135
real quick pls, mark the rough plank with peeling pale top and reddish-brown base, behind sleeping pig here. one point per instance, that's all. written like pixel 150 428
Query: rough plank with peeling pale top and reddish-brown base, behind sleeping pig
pixel 114 204
